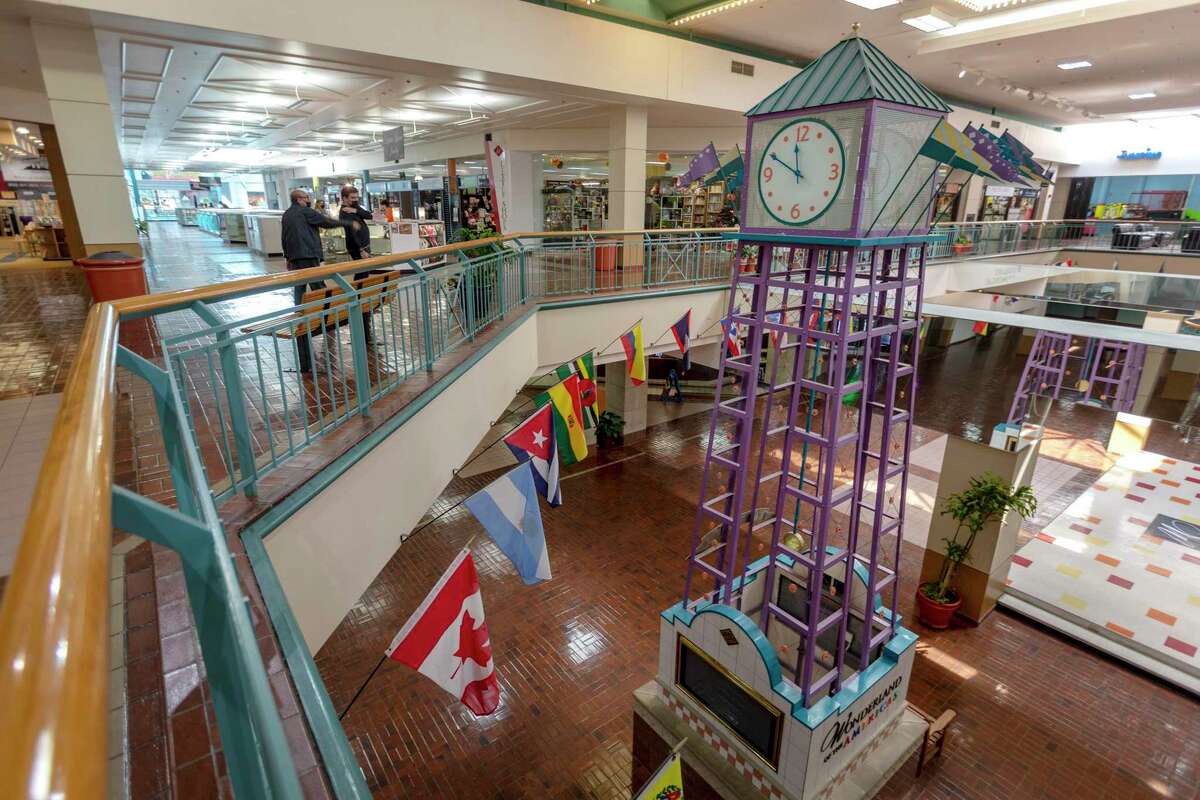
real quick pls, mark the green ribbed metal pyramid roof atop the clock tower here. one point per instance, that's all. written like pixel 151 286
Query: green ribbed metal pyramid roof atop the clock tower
pixel 853 70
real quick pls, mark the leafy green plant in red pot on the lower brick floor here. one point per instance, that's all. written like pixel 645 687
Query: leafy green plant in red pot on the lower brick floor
pixel 987 500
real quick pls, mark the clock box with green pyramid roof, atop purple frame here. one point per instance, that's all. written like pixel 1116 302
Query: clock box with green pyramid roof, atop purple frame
pixel 835 152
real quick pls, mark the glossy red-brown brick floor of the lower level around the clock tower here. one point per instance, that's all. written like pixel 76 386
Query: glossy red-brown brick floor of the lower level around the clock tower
pixel 1040 717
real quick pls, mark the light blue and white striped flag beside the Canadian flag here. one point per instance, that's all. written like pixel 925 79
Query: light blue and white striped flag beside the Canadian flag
pixel 508 510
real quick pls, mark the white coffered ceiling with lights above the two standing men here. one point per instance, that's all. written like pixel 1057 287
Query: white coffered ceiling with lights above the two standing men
pixel 207 106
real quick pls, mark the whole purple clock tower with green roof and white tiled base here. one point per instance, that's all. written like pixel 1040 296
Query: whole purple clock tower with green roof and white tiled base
pixel 787 655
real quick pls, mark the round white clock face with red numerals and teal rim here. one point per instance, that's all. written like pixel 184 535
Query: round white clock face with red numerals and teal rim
pixel 802 171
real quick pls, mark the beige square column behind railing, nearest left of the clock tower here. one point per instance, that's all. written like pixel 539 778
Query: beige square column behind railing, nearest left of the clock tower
pixel 627 184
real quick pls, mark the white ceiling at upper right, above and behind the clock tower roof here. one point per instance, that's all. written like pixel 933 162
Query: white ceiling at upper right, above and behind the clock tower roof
pixel 1135 45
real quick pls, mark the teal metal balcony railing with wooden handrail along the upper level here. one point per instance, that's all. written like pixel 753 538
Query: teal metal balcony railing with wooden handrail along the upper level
pixel 232 377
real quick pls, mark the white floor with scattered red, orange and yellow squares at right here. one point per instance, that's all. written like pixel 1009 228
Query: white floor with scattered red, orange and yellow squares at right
pixel 1126 558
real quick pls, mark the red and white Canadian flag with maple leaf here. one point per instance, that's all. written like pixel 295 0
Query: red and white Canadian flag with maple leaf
pixel 446 640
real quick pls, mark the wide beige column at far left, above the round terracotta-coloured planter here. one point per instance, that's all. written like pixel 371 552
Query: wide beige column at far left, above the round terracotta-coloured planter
pixel 86 161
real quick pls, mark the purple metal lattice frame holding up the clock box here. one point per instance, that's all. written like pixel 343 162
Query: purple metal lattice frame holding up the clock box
pixel 841 318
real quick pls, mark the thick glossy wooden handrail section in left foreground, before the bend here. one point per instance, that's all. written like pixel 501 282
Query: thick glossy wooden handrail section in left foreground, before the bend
pixel 55 621
